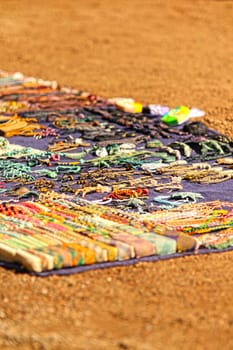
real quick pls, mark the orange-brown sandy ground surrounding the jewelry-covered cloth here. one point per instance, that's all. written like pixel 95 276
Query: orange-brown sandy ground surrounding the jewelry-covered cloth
pixel 172 52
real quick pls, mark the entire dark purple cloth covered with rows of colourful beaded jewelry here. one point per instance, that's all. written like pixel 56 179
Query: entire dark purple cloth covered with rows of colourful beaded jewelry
pixel 85 179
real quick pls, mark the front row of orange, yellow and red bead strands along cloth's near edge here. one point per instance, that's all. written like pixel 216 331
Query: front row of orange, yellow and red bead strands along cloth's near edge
pixel 57 232
